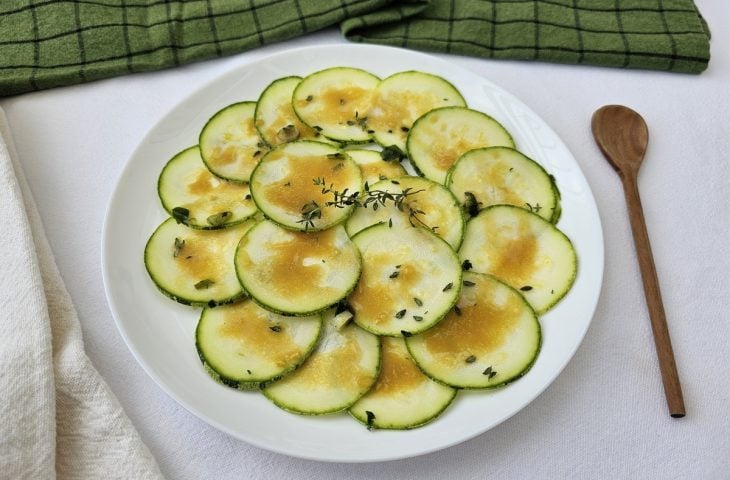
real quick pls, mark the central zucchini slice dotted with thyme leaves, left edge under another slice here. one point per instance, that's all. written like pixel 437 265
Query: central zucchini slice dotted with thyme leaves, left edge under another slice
pixel 410 280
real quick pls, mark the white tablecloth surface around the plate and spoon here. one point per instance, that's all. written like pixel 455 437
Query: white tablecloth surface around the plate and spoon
pixel 604 416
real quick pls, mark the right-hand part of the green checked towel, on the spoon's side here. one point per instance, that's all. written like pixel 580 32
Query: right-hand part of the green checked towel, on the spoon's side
pixel 648 34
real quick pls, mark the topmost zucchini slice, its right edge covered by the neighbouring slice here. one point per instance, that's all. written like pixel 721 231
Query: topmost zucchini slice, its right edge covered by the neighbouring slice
pixel 335 102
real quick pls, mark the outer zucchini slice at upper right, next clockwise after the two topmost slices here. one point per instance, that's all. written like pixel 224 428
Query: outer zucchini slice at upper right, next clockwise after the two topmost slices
pixel 441 136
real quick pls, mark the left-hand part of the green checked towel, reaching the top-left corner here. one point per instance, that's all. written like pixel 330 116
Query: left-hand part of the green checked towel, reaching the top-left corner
pixel 50 43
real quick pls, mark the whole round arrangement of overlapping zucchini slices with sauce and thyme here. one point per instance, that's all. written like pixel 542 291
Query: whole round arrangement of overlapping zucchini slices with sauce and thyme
pixel 361 245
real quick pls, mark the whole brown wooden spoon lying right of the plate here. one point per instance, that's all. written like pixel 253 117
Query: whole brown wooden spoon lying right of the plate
pixel 622 136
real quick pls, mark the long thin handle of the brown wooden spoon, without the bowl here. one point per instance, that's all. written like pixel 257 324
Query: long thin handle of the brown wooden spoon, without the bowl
pixel 667 366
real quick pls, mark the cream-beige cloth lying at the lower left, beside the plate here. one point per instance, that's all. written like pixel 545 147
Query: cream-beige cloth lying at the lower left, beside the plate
pixel 58 417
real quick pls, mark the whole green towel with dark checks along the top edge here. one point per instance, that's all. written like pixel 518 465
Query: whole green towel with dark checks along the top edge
pixel 50 43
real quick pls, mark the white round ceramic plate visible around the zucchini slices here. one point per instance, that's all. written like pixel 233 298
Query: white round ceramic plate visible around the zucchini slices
pixel 160 333
